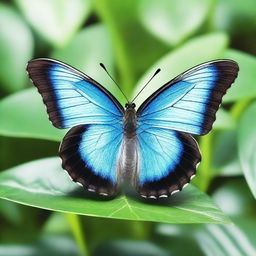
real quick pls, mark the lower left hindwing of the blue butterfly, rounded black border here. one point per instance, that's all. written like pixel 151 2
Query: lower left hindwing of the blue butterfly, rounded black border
pixel 90 155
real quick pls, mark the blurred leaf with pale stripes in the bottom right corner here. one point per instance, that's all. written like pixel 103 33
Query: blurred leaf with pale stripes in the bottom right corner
pixel 223 240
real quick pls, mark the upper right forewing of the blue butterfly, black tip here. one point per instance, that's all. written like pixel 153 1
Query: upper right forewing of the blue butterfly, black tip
pixel 189 102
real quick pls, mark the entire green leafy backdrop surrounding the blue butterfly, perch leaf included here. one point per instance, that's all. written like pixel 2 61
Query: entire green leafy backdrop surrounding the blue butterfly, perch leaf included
pixel 132 38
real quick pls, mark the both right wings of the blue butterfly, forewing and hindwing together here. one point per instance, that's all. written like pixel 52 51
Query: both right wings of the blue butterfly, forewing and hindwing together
pixel 168 155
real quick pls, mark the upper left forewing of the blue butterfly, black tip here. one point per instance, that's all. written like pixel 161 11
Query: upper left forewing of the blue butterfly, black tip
pixel 71 97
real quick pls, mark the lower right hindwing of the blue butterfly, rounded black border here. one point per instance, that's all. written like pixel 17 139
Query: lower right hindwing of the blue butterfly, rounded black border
pixel 167 161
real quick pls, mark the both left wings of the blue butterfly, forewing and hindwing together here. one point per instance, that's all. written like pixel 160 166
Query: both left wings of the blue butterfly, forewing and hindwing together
pixel 90 150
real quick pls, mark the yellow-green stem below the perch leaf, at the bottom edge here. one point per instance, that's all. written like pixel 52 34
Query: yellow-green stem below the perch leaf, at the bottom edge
pixel 75 225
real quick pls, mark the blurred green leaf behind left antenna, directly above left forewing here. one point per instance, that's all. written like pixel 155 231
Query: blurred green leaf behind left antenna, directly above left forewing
pixel 86 54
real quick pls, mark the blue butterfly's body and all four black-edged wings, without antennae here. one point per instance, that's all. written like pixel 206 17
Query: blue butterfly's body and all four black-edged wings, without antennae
pixel 151 147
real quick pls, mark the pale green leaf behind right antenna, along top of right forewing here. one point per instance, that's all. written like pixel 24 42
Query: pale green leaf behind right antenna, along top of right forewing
pixel 190 54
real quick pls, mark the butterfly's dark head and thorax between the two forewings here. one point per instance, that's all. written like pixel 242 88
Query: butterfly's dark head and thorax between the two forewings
pixel 130 120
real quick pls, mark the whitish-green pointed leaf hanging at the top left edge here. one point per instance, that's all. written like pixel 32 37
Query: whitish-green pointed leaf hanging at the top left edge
pixel 57 21
